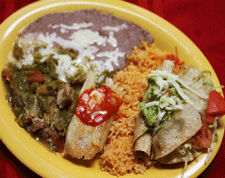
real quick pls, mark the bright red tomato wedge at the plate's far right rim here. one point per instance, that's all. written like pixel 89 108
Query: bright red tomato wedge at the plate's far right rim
pixel 216 104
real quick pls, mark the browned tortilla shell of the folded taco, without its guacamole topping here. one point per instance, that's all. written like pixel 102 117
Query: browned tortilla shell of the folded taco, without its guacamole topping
pixel 186 123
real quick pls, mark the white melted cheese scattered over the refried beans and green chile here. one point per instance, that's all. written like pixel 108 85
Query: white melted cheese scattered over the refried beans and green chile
pixel 82 39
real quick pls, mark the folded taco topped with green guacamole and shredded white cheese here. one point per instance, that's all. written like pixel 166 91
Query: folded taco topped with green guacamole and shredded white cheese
pixel 173 111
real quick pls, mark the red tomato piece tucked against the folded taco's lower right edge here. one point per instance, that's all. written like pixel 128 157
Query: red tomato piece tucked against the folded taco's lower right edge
pixel 203 137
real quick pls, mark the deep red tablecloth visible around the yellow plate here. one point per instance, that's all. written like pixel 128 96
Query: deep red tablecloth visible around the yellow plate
pixel 202 21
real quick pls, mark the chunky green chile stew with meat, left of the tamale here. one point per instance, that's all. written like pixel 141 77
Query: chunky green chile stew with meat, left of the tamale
pixel 35 103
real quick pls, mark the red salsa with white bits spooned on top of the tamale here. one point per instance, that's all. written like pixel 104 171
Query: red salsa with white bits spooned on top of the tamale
pixel 97 105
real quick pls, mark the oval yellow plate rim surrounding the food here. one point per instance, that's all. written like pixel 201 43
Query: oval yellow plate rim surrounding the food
pixel 36 156
